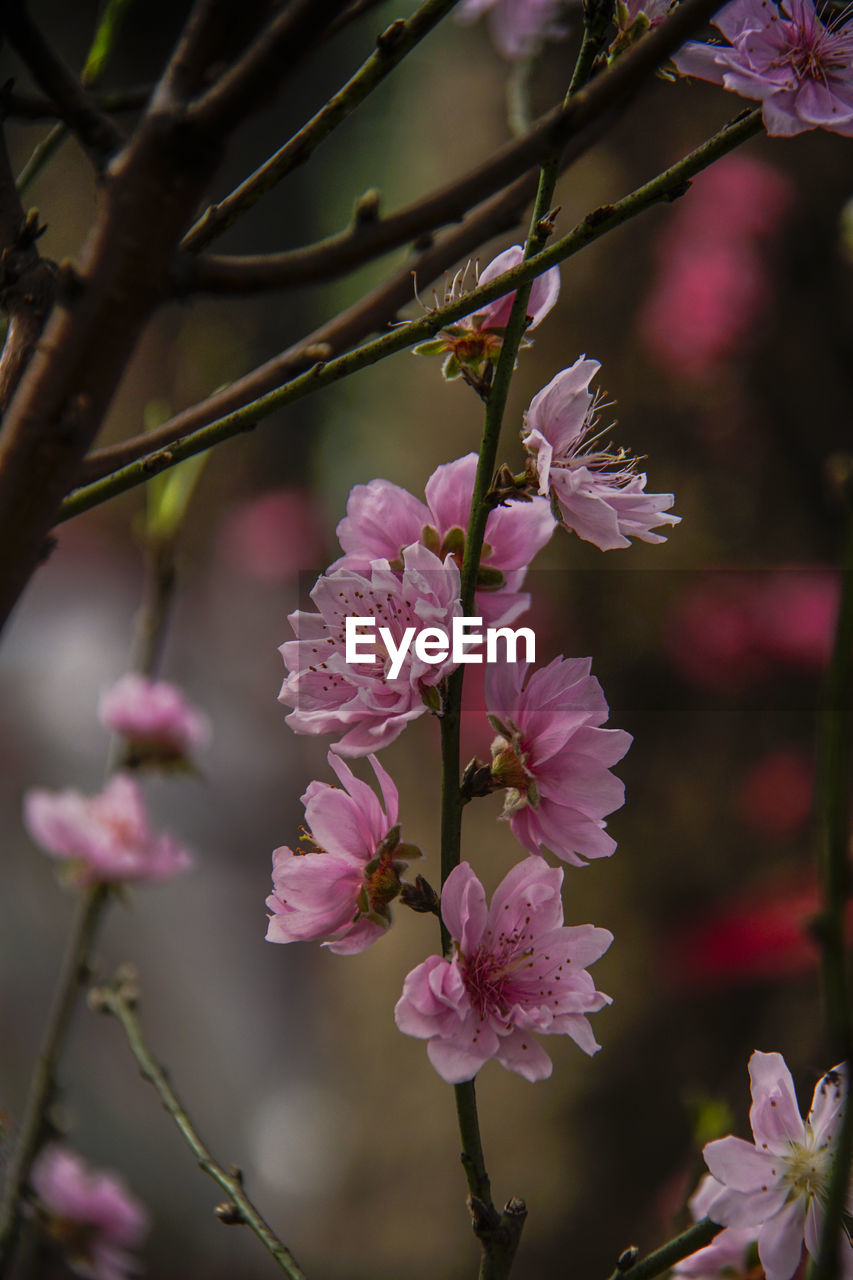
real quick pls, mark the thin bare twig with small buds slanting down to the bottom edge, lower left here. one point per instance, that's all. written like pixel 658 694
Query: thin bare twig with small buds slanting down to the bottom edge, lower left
pixel 116 1002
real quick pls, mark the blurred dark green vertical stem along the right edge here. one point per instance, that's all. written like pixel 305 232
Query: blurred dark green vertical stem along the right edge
pixel 834 799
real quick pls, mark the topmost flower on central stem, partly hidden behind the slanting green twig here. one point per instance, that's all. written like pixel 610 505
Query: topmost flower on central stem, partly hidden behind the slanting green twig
pixel 473 345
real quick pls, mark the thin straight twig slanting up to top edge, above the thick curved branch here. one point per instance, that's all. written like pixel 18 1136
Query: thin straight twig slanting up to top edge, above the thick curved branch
pixel 297 152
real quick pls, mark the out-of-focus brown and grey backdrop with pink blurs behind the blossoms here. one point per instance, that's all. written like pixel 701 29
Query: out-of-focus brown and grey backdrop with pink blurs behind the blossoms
pixel 723 324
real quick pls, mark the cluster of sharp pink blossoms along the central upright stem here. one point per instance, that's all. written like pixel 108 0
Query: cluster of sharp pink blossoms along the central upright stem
pixel 514 967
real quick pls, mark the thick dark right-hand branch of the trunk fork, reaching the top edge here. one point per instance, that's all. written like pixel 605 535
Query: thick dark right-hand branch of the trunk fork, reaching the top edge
pixel 276 52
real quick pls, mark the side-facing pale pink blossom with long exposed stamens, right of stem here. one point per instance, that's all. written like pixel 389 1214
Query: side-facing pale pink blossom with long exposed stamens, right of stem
pixel 600 495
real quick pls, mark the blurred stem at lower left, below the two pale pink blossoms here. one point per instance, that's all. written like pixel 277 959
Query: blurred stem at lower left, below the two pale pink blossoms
pixel 72 976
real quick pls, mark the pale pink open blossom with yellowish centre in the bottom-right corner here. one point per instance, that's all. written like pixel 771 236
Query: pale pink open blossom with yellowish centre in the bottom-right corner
pixel 779 1185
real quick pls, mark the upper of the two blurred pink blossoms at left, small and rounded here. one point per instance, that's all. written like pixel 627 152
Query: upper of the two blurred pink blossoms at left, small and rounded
pixel 156 717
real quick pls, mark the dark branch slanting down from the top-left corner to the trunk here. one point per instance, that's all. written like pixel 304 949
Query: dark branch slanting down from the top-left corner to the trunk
pixel 98 134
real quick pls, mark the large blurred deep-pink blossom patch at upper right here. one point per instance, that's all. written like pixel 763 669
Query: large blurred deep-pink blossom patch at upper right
pixel 713 284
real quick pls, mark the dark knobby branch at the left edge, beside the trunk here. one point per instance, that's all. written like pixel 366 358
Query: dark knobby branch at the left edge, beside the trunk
pixel 28 282
